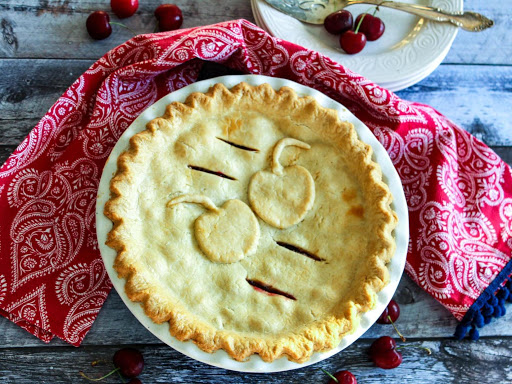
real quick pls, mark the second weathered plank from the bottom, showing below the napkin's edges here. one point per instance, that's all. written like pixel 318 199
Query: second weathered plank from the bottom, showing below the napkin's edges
pixel 421 317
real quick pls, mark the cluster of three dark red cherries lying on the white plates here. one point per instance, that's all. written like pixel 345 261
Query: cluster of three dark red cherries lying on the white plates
pixel 367 28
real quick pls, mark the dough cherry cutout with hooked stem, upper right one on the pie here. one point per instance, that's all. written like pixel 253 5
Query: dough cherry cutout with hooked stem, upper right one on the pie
pixel 282 196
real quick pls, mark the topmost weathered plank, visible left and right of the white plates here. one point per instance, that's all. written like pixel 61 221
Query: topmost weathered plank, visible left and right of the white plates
pixel 62 34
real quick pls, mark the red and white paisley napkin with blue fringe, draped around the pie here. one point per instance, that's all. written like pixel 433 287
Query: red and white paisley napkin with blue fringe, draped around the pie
pixel 52 280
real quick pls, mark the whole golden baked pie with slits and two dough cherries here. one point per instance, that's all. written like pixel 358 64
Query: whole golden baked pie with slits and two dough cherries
pixel 252 220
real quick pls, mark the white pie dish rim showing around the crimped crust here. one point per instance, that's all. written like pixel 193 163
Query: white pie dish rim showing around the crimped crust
pixel 220 358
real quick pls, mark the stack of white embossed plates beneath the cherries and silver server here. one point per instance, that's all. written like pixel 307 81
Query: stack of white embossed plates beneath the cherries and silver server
pixel 409 50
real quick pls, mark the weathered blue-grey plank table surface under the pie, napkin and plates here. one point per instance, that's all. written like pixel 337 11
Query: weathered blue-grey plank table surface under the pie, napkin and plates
pixel 44 47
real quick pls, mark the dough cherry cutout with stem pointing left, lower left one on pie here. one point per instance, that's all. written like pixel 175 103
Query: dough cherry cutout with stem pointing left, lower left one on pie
pixel 226 234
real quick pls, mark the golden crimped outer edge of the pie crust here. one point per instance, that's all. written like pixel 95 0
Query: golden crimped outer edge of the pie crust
pixel 318 336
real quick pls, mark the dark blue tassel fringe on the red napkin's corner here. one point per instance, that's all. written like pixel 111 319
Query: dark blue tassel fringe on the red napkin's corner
pixel 491 303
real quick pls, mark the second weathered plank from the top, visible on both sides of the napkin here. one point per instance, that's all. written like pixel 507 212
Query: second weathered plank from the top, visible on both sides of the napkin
pixel 477 98
